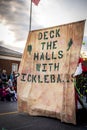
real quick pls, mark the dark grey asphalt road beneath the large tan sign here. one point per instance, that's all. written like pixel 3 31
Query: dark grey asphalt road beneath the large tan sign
pixel 10 119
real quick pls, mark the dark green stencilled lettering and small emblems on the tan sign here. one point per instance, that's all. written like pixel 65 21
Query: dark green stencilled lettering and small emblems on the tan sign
pixel 49 65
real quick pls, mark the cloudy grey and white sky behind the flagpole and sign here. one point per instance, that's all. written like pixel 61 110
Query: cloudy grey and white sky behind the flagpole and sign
pixel 15 18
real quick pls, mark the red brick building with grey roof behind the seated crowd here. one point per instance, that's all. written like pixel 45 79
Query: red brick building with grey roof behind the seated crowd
pixel 9 59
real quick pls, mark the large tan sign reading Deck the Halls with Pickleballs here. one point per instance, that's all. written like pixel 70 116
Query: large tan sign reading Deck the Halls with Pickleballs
pixel 46 83
